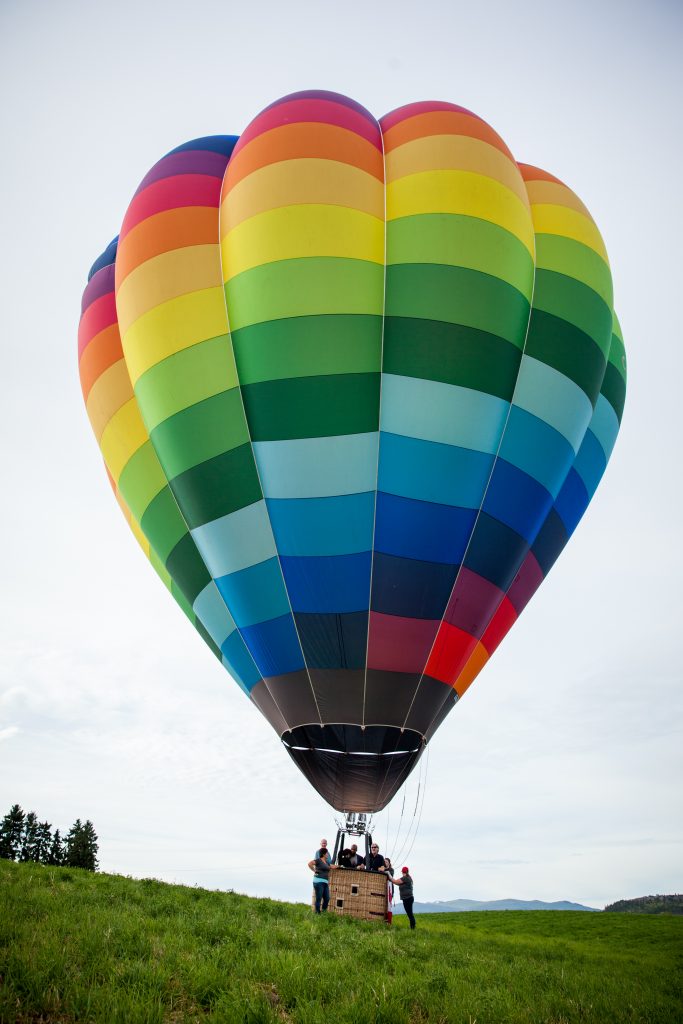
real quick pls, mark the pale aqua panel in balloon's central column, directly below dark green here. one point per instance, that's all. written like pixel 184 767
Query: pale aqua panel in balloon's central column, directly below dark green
pixel 318 467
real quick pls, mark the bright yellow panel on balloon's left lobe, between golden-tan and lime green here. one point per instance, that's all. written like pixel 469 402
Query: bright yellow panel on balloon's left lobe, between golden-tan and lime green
pixel 173 327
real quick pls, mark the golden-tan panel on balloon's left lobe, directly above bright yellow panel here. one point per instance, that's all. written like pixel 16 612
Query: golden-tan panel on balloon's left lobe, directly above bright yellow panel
pixel 167 277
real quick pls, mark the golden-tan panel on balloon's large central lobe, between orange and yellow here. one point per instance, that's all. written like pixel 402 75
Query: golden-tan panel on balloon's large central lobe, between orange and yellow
pixel 303 182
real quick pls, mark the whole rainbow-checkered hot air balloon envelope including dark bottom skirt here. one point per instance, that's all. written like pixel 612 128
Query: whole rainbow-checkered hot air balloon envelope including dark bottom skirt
pixel 356 383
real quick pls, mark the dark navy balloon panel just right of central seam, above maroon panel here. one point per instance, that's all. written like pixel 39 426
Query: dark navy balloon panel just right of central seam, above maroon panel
pixel 410 588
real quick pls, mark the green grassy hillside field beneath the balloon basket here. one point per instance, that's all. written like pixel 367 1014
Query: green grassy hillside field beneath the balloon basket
pixel 77 947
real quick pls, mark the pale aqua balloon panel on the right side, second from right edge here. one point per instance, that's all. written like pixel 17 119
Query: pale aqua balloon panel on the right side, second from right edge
pixel 551 397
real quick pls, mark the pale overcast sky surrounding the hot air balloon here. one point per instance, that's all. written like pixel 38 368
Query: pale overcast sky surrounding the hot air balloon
pixel 559 777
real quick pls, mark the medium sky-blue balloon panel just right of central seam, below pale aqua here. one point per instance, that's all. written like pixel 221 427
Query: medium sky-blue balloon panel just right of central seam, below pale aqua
pixel 432 473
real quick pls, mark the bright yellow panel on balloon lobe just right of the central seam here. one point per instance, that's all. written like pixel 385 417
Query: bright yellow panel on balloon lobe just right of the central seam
pixel 462 193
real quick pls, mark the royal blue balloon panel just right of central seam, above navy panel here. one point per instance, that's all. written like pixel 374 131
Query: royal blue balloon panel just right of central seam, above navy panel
pixel 422 530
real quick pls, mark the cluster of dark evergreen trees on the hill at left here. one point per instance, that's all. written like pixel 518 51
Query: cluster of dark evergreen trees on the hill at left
pixel 24 838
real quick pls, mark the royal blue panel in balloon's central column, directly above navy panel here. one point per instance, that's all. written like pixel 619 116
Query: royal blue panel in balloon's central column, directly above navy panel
pixel 338 583
